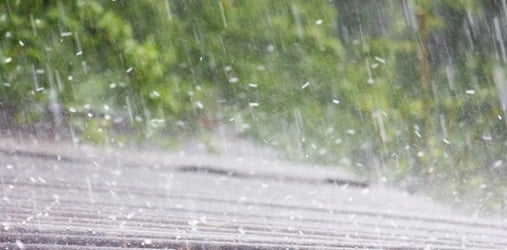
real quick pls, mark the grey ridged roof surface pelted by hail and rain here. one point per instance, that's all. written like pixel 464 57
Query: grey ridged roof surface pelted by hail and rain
pixel 57 196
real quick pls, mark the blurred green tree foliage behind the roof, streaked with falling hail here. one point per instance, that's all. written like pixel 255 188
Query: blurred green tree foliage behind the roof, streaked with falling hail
pixel 405 92
